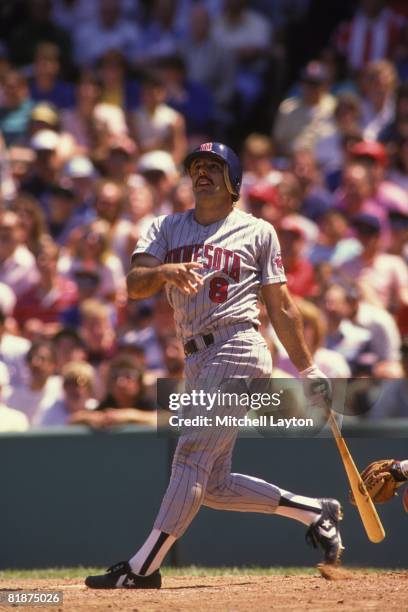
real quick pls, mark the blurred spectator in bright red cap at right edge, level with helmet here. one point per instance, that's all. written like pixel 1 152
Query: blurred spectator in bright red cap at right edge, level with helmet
pixel 387 195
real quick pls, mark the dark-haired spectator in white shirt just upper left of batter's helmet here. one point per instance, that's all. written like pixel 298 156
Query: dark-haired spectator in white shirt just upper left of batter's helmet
pixel 156 126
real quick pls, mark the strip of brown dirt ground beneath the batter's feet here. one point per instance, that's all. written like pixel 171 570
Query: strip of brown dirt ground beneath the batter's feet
pixel 358 591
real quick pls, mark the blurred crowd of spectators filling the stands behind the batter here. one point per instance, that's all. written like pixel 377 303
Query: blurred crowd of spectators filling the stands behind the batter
pixel 100 102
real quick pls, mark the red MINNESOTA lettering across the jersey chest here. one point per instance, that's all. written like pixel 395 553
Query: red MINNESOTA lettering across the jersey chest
pixel 213 258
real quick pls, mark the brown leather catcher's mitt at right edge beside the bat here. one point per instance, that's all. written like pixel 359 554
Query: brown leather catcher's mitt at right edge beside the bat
pixel 382 479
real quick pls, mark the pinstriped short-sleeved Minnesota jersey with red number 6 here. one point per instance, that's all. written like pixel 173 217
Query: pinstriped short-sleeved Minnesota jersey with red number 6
pixel 239 254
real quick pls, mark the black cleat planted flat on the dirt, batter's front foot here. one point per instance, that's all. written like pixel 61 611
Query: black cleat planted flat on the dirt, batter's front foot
pixel 120 576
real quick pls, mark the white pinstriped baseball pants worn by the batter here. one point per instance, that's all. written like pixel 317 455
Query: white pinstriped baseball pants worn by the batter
pixel 201 469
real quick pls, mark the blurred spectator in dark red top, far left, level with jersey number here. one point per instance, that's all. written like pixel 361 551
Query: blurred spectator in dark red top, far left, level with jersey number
pixel 53 294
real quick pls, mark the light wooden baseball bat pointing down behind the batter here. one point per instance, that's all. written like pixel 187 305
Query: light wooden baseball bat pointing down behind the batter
pixel 368 513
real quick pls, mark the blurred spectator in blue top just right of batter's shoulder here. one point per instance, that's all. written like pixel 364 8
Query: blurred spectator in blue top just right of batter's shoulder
pixel 316 199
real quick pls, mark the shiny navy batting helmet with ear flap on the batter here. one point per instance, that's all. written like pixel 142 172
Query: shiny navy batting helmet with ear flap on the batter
pixel 232 165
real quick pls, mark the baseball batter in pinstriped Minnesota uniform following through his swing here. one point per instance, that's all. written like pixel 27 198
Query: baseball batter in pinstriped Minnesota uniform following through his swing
pixel 213 262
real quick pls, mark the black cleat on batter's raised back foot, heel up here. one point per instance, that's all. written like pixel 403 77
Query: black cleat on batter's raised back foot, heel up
pixel 324 532
